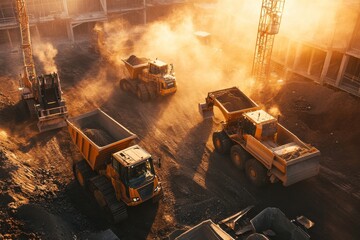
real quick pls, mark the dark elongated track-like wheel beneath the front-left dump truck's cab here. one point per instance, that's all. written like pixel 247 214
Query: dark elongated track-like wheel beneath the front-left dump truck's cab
pixel 104 194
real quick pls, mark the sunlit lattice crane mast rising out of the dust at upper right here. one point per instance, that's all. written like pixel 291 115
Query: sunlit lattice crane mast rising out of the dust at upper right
pixel 269 25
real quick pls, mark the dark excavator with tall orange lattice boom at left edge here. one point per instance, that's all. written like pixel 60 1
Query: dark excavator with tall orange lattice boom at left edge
pixel 42 93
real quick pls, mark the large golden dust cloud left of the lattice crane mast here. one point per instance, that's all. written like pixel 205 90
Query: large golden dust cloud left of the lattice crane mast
pixel 200 65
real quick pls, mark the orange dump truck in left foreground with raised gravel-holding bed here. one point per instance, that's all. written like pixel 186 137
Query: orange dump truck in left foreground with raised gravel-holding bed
pixel 116 172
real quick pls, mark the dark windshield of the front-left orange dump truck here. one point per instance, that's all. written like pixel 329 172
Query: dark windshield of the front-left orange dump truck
pixel 139 173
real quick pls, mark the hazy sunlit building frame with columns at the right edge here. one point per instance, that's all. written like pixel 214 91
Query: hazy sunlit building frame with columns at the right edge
pixel 327 60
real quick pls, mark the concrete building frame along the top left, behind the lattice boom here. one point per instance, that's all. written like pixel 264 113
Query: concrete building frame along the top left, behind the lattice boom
pixel 70 19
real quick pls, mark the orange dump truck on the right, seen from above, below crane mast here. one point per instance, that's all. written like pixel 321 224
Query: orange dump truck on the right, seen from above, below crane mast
pixel 257 142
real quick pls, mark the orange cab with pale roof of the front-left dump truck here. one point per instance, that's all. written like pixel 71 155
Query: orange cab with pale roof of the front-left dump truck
pixel 133 176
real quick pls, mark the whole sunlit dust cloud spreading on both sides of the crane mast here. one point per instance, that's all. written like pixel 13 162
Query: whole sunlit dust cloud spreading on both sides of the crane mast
pixel 225 58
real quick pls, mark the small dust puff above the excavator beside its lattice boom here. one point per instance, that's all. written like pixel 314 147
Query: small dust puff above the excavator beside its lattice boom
pixel 46 53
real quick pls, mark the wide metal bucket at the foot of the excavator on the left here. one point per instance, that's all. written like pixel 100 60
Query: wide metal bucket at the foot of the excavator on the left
pixel 52 118
